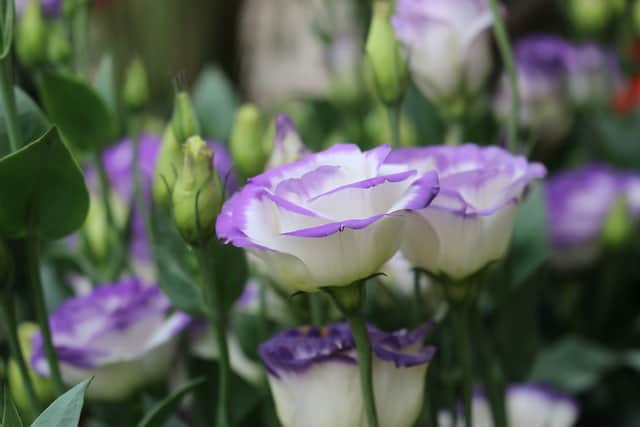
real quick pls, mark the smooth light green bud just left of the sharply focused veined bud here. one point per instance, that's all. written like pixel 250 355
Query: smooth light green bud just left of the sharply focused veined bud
pixel 167 167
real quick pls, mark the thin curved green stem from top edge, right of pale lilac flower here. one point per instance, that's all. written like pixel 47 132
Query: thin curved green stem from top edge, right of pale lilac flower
pixel 504 46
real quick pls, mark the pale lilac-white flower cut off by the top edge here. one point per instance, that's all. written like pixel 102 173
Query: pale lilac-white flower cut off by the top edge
pixel 447 44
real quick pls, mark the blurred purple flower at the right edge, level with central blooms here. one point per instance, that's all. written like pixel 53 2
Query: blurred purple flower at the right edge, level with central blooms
pixel 579 202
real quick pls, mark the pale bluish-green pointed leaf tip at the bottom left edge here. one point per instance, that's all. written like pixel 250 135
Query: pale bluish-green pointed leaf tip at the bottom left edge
pixel 65 410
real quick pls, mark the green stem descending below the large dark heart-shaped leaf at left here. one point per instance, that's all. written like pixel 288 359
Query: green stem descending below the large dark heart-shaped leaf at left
pixel 33 267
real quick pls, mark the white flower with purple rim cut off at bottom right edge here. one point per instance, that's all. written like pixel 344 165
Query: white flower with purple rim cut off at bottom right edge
pixel 527 406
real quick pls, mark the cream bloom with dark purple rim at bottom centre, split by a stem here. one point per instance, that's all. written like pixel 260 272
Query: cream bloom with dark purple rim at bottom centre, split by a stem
pixel 314 379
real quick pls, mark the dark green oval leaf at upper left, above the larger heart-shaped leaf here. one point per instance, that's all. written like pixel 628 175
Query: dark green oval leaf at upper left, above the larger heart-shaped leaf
pixel 78 110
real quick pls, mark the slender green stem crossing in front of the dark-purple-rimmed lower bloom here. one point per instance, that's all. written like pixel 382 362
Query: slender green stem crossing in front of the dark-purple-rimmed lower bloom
pixel 363 348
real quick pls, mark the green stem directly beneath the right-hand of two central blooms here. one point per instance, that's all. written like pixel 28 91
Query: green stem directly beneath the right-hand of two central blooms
pixel 459 317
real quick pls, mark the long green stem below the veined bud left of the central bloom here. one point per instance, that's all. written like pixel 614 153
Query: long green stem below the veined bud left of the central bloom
pixel 213 297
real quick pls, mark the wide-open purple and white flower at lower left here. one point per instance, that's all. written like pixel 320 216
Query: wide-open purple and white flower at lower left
pixel 120 332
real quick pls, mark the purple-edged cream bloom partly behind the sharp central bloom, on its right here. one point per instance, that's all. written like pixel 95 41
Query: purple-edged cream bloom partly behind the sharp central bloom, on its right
pixel 469 223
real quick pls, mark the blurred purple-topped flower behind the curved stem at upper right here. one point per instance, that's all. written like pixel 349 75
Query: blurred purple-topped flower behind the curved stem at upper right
pixel 543 64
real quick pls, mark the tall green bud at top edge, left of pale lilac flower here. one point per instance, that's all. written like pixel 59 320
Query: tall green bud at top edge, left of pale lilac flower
pixel 385 56
